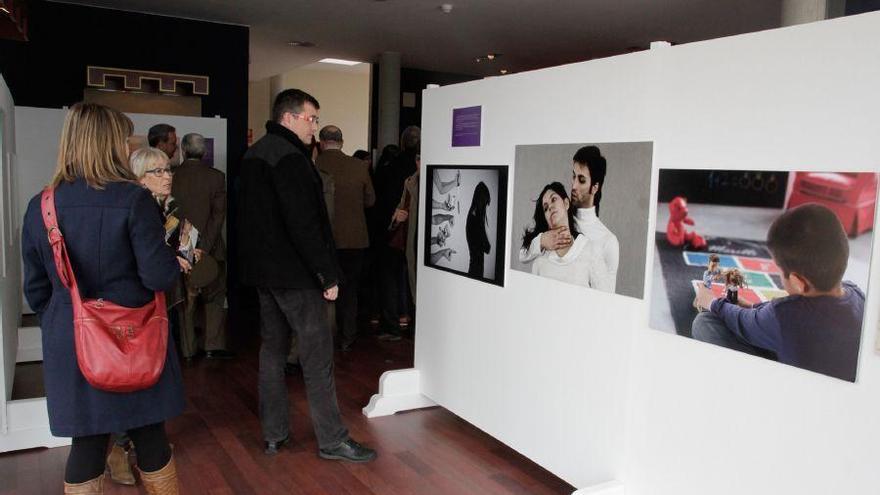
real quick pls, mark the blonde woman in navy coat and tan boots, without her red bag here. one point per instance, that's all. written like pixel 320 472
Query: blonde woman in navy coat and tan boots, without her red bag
pixel 116 242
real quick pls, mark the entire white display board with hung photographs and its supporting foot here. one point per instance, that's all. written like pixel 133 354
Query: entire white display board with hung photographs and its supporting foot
pixel 594 384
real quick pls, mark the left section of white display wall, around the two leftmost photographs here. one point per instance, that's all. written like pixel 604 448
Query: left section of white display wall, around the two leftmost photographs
pixel 541 365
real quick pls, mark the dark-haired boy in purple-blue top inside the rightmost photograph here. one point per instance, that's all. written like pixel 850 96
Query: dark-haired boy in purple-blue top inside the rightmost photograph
pixel 818 326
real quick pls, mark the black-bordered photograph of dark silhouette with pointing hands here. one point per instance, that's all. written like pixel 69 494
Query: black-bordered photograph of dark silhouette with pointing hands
pixel 465 220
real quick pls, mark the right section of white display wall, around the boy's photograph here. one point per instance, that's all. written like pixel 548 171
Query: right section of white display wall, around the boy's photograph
pixel 708 420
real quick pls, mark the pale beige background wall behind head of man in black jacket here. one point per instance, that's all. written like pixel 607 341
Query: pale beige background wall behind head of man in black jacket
pixel 344 95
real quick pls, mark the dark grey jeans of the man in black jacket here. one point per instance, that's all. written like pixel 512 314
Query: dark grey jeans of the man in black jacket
pixel 300 312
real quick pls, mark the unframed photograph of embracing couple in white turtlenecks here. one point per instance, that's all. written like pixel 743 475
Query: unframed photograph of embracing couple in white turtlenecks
pixel 580 214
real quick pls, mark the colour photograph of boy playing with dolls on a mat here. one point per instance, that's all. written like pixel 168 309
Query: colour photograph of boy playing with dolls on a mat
pixel 769 263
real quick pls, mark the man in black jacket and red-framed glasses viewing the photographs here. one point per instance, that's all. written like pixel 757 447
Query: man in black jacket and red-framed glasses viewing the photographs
pixel 288 254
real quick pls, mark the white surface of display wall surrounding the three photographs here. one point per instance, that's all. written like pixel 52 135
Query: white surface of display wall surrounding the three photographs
pixel 575 379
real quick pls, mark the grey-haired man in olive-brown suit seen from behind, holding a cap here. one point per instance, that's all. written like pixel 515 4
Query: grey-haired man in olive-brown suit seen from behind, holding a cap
pixel 200 194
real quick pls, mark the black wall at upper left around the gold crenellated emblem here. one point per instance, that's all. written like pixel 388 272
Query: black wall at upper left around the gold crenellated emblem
pixel 50 69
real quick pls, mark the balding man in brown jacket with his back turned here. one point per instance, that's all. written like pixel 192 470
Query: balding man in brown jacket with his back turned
pixel 354 192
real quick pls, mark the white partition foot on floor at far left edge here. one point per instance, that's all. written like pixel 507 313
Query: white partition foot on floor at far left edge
pixel 28 426
